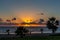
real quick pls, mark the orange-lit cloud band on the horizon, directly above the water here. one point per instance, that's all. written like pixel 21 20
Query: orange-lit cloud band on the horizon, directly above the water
pixel 23 24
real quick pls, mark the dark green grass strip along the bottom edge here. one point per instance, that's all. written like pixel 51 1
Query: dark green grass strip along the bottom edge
pixel 33 38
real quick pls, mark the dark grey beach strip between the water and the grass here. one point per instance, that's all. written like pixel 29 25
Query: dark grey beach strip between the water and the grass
pixel 27 35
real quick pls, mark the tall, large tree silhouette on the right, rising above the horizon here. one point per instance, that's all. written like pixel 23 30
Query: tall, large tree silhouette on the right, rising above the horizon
pixel 52 23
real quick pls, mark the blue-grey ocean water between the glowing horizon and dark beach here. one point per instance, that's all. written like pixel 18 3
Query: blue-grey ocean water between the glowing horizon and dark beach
pixel 32 29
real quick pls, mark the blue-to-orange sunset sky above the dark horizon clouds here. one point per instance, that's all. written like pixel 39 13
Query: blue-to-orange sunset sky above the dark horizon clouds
pixel 29 9
